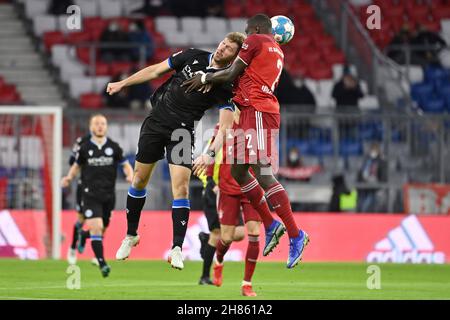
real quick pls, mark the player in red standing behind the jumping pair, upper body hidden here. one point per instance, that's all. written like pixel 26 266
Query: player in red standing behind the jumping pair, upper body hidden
pixel 230 202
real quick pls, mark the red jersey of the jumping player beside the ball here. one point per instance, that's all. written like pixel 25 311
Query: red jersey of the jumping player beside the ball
pixel 264 59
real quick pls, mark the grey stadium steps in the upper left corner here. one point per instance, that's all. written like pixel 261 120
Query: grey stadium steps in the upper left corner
pixel 21 65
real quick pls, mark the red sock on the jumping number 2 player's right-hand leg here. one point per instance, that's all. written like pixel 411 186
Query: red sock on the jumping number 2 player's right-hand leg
pixel 279 200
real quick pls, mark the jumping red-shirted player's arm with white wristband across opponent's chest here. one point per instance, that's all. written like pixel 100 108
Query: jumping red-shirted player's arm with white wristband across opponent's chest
pixel 224 76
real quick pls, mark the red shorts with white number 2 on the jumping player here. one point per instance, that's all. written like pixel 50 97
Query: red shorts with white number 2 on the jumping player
pixel 256 137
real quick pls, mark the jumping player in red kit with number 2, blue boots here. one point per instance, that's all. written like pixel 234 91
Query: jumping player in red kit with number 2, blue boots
pixel 259 65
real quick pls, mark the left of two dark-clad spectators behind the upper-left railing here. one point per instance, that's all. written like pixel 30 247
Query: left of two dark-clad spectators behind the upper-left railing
pixel 114 34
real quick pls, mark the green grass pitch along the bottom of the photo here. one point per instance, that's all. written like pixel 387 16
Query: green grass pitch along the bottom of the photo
pixel 156 280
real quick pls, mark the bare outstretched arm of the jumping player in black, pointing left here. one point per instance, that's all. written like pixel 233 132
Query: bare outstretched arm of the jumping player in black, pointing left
pixel 147 74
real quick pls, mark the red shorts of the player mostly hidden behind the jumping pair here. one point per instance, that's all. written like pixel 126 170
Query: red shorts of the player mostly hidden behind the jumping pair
pixel 229 209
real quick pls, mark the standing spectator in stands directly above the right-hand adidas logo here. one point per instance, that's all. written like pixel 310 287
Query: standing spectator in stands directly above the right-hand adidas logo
pixel 372 172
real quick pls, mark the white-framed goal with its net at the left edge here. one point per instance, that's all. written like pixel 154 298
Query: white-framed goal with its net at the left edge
pixel 30 169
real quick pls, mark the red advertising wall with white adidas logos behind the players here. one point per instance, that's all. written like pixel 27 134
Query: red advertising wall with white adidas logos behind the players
pixel 374 238
